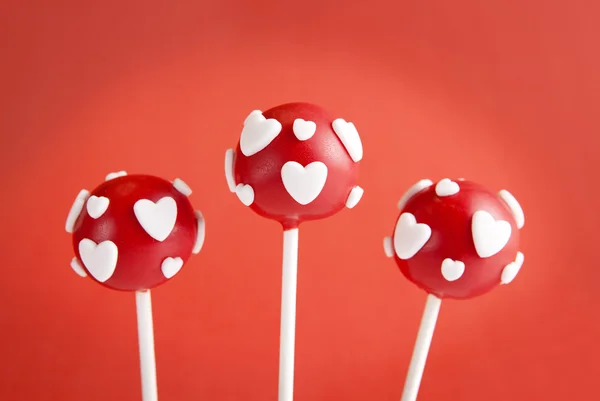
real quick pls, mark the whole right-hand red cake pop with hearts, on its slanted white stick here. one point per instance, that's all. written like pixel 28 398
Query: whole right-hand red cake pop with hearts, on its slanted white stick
pixel 454 240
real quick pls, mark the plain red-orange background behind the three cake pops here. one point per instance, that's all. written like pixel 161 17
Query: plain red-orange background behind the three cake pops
pixel 503 92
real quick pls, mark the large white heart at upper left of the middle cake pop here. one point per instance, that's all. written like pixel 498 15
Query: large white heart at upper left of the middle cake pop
pixel 258 133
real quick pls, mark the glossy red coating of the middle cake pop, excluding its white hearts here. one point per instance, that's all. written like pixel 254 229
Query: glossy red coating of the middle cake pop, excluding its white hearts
pixel 263 170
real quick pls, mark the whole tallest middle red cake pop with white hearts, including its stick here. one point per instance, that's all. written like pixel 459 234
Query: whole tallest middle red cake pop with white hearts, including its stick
pixel 294 163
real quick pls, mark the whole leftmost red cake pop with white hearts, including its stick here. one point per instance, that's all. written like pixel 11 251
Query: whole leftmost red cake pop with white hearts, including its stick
pixel 134 233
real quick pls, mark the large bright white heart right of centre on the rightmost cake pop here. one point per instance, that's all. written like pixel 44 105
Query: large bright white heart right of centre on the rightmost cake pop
pixel 489 235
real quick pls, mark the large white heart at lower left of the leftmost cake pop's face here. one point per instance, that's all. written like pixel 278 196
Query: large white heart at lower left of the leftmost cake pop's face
pixel 99 259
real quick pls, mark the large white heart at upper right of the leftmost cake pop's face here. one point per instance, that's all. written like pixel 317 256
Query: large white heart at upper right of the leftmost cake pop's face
pixel 157 219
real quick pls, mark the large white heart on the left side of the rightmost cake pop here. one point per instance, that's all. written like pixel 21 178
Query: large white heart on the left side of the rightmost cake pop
pixel 410 236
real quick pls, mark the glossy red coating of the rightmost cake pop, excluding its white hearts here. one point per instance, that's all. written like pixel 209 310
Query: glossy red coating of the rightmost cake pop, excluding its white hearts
pixel 450 218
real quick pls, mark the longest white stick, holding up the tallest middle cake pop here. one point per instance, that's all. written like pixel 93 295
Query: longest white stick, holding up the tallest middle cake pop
pixel 288 315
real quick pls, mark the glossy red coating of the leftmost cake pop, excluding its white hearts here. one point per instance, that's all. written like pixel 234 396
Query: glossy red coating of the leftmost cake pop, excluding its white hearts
pixel 139 255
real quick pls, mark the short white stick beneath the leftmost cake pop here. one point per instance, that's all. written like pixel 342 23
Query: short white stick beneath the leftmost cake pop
pixel 146 343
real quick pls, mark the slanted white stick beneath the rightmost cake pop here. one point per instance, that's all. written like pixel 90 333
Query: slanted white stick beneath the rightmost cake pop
pixel 419 357
